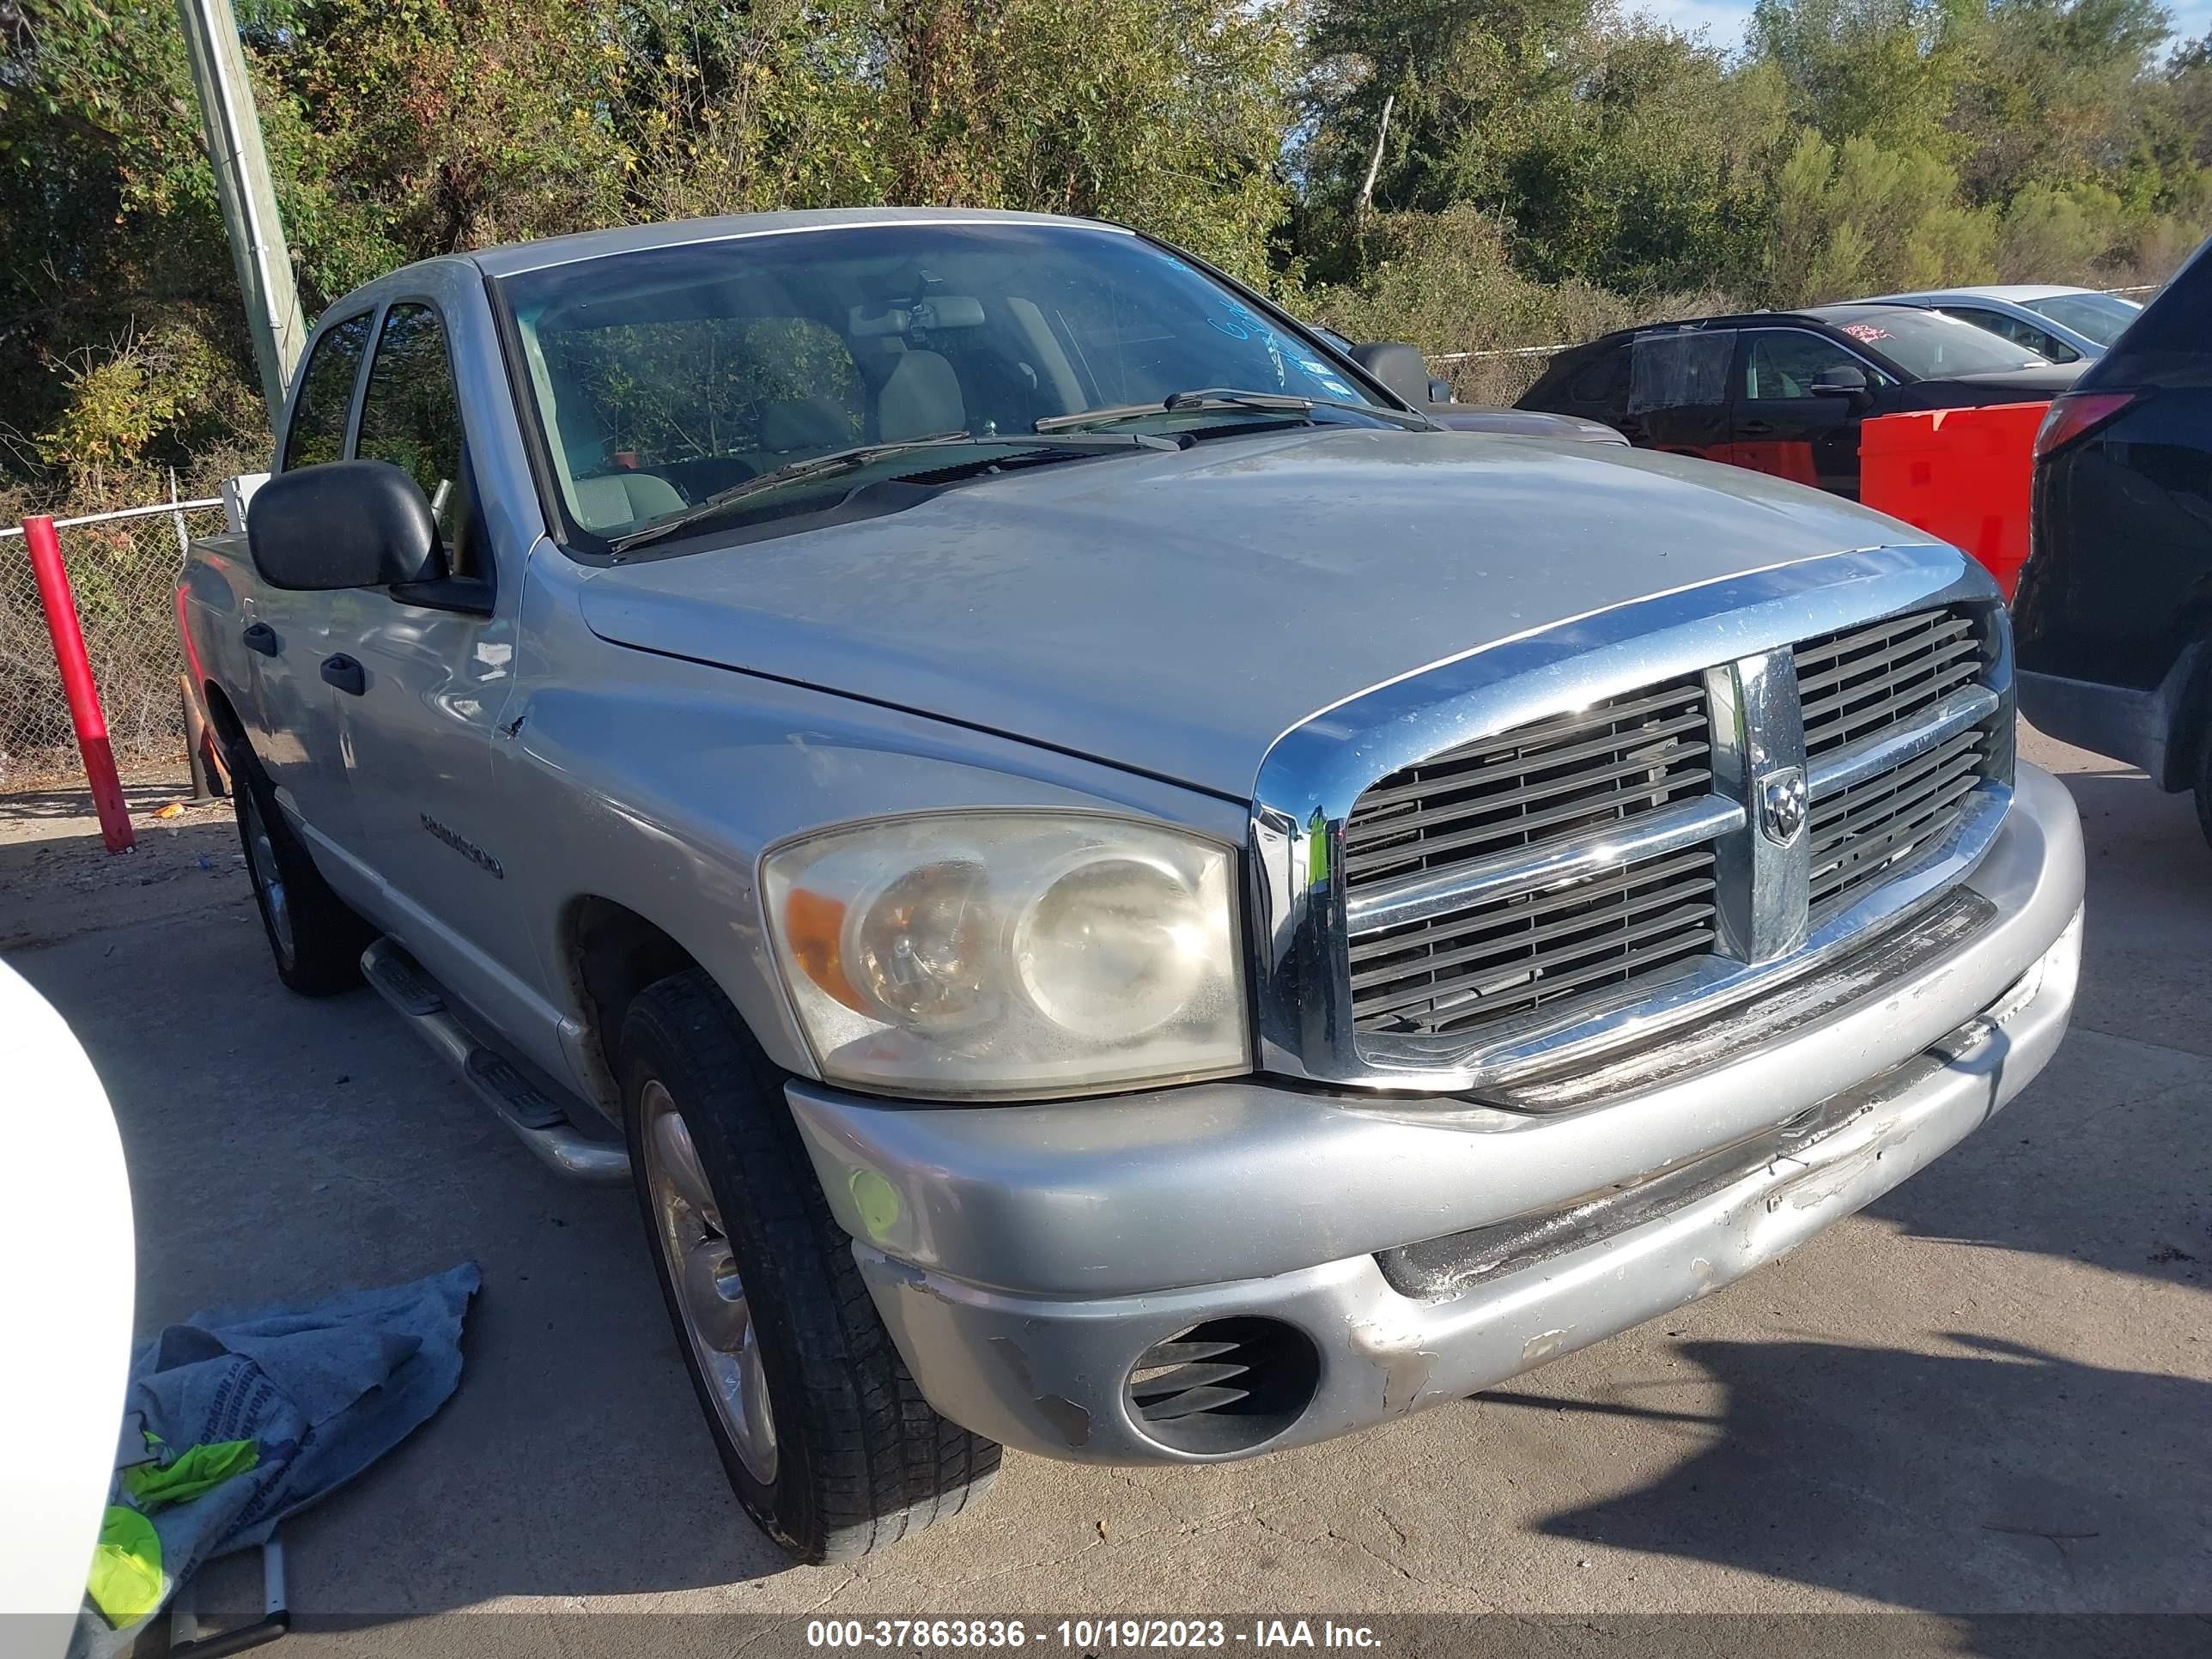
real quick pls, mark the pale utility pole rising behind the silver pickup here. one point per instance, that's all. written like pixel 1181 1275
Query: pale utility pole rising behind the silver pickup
pixel 242 185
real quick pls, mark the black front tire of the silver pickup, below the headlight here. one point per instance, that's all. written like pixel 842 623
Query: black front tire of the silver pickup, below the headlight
pixel 857 1457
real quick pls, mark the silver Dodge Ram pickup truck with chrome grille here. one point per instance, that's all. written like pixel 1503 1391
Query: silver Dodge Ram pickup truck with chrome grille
pixel 1114 888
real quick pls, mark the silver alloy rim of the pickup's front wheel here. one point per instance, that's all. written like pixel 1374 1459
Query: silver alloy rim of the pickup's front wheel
pixel 711 1297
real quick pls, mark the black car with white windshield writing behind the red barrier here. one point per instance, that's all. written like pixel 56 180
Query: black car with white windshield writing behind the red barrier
pixel 1784 393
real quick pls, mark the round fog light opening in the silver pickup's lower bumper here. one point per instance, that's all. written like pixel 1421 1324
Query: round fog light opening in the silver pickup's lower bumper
pixel 1222 1388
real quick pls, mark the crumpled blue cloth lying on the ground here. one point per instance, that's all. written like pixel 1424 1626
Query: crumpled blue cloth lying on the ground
pixel 324 1388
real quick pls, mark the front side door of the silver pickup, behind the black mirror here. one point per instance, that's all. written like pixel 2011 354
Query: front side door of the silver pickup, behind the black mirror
pixel 432 671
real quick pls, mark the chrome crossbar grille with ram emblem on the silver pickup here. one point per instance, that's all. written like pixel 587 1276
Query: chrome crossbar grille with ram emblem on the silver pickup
pixel 1512 881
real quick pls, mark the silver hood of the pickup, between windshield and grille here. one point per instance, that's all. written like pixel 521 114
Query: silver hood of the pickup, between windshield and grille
pixel 1178 612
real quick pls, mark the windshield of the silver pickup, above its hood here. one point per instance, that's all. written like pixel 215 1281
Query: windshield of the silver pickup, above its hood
pixel 676 375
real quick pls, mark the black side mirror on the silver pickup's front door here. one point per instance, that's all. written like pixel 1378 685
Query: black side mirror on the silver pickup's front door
pixel 342 525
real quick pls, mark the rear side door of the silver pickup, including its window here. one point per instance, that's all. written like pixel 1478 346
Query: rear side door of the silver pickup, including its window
pixel 293 713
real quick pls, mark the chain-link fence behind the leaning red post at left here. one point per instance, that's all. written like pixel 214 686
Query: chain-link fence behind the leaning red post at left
pixel 125 574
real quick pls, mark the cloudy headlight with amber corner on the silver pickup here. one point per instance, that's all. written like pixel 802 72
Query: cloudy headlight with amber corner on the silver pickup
pixel 1010 954
